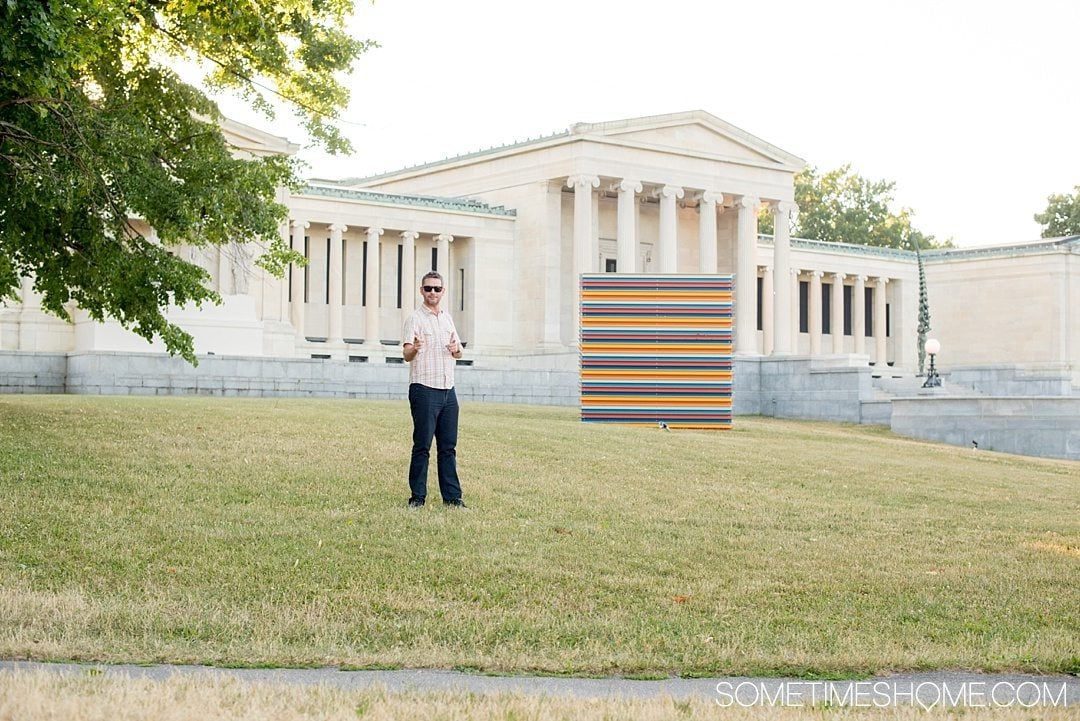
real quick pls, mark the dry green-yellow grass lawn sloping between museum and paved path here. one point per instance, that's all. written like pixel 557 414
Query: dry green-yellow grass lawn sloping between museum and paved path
pixel 275 533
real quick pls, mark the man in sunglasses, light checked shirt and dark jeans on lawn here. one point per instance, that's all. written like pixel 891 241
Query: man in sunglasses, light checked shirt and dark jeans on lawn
pixel 431 348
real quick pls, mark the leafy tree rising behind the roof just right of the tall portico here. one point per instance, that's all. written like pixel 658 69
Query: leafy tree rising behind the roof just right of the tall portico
pixel 842 207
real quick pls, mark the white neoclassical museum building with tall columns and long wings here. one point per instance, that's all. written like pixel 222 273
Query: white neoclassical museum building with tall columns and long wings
pixel 514 227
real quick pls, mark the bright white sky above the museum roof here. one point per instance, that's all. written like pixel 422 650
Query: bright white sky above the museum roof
pixel 973 110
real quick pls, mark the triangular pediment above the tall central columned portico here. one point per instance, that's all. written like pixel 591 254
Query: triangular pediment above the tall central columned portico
pixel 696 133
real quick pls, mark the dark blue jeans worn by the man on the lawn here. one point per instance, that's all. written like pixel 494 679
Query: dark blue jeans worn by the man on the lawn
pixel 435 415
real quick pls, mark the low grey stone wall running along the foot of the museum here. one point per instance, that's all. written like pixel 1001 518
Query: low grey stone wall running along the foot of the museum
pixel 801 388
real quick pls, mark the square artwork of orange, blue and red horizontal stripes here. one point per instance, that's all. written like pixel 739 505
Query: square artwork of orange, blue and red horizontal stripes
pixel 656 350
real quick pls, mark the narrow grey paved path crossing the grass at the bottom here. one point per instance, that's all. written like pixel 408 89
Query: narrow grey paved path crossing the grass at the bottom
pixel 928 690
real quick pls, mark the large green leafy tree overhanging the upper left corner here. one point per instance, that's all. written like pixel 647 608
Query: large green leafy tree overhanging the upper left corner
pixel 97 129
